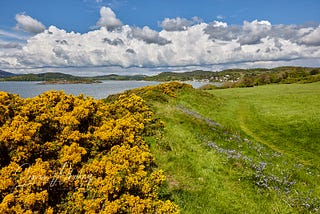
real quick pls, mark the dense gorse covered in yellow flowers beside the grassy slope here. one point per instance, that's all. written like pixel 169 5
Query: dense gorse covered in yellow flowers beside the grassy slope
pixel 73 154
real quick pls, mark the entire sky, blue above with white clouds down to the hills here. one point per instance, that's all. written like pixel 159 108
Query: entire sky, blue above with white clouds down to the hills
pixel 94 37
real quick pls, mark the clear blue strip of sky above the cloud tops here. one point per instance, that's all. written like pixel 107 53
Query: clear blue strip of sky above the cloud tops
pixel 80 15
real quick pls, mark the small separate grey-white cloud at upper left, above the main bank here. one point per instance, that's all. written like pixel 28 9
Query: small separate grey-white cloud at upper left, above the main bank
pixel 29 24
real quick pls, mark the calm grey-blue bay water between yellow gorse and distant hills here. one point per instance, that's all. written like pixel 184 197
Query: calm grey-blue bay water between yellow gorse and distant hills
pixel 96 90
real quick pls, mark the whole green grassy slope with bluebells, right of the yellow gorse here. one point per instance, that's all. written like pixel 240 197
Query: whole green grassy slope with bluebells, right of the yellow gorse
pixel 264 158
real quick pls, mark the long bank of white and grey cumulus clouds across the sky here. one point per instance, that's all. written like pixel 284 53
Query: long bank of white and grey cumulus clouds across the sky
pixel 180 43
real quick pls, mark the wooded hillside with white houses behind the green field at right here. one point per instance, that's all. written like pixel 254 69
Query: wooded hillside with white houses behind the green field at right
pixel 245 77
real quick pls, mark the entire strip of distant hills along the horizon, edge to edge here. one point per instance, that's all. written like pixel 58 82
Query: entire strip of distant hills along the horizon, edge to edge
pixel 229 77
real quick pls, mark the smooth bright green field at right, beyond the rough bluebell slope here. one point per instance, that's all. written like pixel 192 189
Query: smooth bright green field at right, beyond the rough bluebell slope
pixel 286 118
